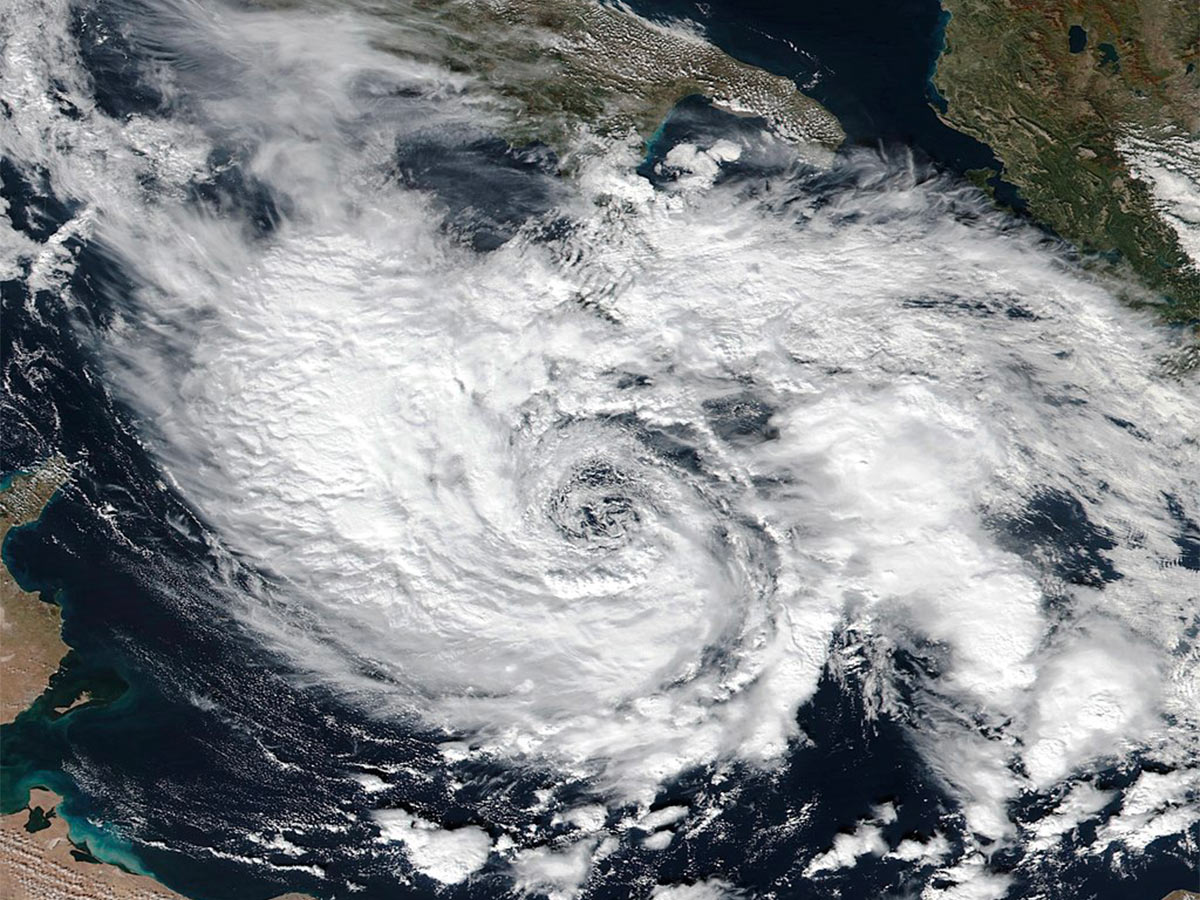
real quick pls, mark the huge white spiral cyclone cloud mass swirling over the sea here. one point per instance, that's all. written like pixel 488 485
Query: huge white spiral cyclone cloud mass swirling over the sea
pixel 611 489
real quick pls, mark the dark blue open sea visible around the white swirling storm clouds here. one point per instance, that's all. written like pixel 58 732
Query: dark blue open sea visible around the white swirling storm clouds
pixel 199 739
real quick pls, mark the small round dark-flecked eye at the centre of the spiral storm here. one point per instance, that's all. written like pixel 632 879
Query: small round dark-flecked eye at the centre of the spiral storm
pixel 593 507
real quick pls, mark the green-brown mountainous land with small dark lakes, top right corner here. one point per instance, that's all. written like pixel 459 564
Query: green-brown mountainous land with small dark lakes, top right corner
pixel 1058 119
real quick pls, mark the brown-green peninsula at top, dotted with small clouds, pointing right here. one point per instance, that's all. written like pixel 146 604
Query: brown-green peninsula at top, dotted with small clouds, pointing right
pixel 568 68
